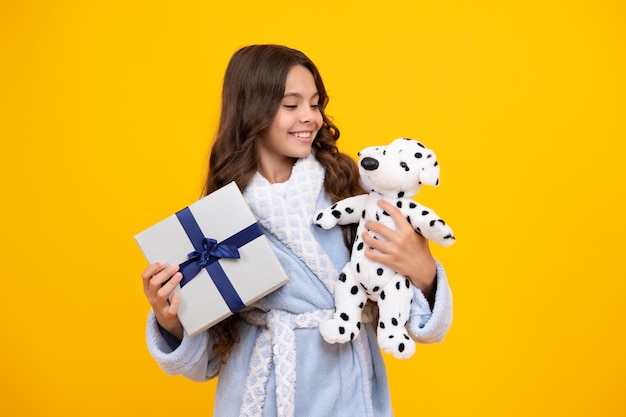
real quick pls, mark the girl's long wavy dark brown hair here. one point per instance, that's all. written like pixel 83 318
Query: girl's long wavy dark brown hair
pixel 254 85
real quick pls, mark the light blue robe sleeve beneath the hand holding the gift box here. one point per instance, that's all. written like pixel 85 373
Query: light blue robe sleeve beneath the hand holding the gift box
pixel 193 358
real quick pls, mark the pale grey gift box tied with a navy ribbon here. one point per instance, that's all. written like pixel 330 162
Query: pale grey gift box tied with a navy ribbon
pixel 226 260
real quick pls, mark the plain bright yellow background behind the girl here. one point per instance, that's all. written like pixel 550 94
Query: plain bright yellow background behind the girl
pixel 107 109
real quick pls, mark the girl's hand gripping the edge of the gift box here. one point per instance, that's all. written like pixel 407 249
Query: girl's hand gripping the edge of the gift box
pixel 154 277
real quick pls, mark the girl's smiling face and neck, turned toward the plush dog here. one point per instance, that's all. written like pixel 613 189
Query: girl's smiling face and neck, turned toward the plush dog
pixel 291 134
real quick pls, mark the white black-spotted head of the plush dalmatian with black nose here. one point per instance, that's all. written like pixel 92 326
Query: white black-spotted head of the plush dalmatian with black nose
pixel 384 169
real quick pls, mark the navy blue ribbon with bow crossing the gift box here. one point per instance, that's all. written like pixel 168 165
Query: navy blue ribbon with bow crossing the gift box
pixel 208 252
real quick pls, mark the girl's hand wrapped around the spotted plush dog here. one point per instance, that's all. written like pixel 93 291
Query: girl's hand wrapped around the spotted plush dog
pixel 405 251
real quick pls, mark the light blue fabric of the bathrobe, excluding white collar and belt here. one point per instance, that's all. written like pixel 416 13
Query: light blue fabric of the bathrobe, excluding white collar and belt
pixel 332 380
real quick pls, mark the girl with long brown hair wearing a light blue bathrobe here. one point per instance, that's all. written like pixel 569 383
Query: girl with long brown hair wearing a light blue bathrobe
pixel 276 142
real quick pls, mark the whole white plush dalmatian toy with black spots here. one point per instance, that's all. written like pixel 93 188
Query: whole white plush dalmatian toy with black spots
pixel 394 173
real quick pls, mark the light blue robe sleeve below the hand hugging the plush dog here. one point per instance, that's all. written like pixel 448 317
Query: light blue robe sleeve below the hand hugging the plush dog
pixel 430 326
